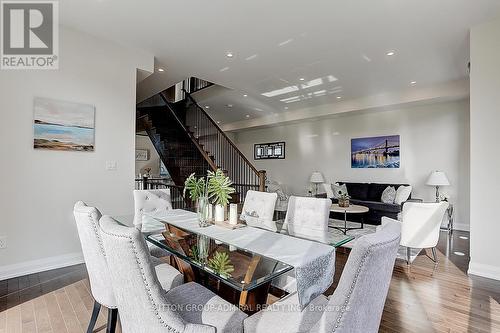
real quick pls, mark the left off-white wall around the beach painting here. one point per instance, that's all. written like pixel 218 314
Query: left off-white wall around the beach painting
pixel 38 187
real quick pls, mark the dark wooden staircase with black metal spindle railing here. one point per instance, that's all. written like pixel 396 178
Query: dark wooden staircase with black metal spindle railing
pixel 189 141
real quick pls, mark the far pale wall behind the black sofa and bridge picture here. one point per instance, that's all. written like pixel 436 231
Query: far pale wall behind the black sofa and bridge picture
pixel 433 137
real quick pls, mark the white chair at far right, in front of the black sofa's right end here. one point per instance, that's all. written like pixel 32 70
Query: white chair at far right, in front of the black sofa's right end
pixel 420 224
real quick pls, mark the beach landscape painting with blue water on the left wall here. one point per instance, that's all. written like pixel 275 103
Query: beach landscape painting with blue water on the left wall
pixel 63 125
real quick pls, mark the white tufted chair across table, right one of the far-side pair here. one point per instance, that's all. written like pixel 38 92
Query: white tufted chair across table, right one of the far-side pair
pixel 307 218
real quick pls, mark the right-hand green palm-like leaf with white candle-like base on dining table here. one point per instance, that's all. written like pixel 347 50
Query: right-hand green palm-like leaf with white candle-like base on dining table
pixel 219 190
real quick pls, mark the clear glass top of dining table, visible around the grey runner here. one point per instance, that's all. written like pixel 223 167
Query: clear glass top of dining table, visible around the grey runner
pixel 237 267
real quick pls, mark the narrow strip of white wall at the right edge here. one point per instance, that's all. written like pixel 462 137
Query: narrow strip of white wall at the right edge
pixel 485 160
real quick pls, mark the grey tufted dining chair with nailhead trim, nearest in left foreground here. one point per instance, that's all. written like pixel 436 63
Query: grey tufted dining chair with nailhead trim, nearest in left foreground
pixel 144 306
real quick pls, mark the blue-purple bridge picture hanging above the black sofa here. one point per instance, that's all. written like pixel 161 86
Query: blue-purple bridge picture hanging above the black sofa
pixel 375 152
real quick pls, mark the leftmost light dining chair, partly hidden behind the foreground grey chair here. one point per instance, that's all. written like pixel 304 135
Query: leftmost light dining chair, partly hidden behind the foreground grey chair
pixel 87 222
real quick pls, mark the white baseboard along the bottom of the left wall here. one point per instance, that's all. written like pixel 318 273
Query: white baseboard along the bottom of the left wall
pixel 40 265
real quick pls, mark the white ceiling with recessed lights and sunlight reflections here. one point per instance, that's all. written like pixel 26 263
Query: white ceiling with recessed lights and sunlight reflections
pixel 339 47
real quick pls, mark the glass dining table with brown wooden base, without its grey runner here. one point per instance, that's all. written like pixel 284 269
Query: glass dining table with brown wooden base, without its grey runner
pixel 240 276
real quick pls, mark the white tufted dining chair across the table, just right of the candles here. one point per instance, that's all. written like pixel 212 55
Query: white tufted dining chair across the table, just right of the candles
pixel 258 210
